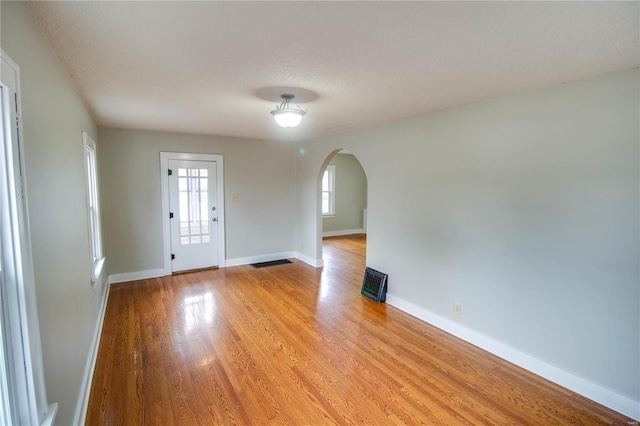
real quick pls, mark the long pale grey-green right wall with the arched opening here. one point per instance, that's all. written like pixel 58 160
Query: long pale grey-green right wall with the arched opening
pixel 523 209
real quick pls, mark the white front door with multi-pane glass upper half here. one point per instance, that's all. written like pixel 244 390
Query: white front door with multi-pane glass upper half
pixel 194 214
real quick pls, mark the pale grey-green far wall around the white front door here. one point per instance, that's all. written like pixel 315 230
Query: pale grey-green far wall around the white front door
pixel 261 173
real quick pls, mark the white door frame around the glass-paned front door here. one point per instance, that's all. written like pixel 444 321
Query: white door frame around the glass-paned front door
pixel 164 182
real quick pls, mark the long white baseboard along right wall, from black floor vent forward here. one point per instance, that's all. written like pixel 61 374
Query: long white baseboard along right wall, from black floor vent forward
pixel 597 393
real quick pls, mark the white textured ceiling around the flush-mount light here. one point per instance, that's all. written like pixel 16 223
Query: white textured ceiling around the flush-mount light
pixel 219 67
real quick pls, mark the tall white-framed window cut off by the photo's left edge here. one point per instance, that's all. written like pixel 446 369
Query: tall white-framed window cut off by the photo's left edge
pixel 22 386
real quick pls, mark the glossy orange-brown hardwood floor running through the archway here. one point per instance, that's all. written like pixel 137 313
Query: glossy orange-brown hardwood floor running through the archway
pixel 295 345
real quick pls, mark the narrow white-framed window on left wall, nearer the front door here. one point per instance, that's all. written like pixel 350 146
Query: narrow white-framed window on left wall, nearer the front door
pixel 93 206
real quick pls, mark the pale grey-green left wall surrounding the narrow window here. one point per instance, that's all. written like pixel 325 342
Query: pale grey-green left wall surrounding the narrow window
pixel 53 120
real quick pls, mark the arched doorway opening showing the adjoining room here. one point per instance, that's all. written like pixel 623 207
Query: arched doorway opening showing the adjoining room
pixel 343 190
